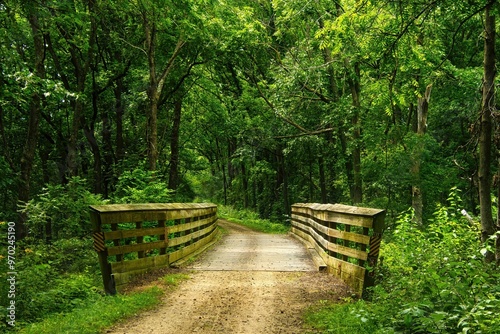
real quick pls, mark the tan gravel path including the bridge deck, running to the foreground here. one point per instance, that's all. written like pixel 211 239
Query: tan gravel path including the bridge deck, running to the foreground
pixel 249 282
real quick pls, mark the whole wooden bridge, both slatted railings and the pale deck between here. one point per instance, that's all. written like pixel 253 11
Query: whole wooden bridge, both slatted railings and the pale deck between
pixel 134 239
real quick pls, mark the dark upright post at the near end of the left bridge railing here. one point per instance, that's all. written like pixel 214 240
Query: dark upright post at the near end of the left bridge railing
pixel 102 252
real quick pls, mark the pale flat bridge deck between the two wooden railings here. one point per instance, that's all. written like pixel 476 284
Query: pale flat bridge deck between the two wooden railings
pixel 244 250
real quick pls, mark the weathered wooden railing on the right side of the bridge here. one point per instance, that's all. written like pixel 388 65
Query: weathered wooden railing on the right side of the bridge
pixel 347 238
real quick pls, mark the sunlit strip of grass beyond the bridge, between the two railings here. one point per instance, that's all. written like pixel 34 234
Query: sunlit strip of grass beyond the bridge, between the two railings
pixel 251 220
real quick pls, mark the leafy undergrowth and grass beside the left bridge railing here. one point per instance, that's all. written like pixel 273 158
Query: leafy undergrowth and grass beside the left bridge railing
pixel 58 281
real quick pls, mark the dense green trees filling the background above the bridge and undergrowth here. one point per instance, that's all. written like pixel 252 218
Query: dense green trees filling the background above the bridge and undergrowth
pixel 257 105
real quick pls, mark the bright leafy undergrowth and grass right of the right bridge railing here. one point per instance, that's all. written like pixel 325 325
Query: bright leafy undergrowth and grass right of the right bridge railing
pixel 431 280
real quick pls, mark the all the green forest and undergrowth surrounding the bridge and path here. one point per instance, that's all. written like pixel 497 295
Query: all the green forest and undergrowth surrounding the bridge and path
pixel 255 105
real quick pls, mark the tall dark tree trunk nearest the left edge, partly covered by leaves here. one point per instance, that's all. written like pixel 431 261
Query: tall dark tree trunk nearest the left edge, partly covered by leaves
pixel 30 145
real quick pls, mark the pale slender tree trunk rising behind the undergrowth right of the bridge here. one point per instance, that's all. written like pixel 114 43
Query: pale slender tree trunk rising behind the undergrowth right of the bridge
pixel 416 189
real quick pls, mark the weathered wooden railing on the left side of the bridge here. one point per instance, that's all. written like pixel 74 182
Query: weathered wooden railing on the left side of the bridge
pixel 132 239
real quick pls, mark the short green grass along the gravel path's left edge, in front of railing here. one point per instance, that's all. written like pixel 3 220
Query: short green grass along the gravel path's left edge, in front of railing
pixel 97 315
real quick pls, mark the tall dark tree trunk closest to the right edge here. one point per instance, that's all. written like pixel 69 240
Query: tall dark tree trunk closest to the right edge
pixel 485 138
